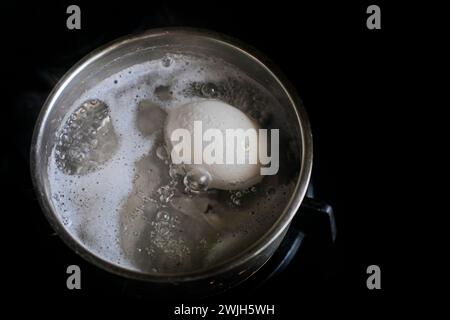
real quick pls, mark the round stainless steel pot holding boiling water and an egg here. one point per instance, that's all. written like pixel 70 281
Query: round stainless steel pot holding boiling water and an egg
pixel 135 49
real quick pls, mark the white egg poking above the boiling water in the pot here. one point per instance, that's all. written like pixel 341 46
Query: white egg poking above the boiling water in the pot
pixel 215 114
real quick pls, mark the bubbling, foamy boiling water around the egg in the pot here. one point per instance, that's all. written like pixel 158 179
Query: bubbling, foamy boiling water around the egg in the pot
pixel 118 193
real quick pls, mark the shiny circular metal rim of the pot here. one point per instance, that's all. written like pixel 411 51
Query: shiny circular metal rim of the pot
pixel 250 252
